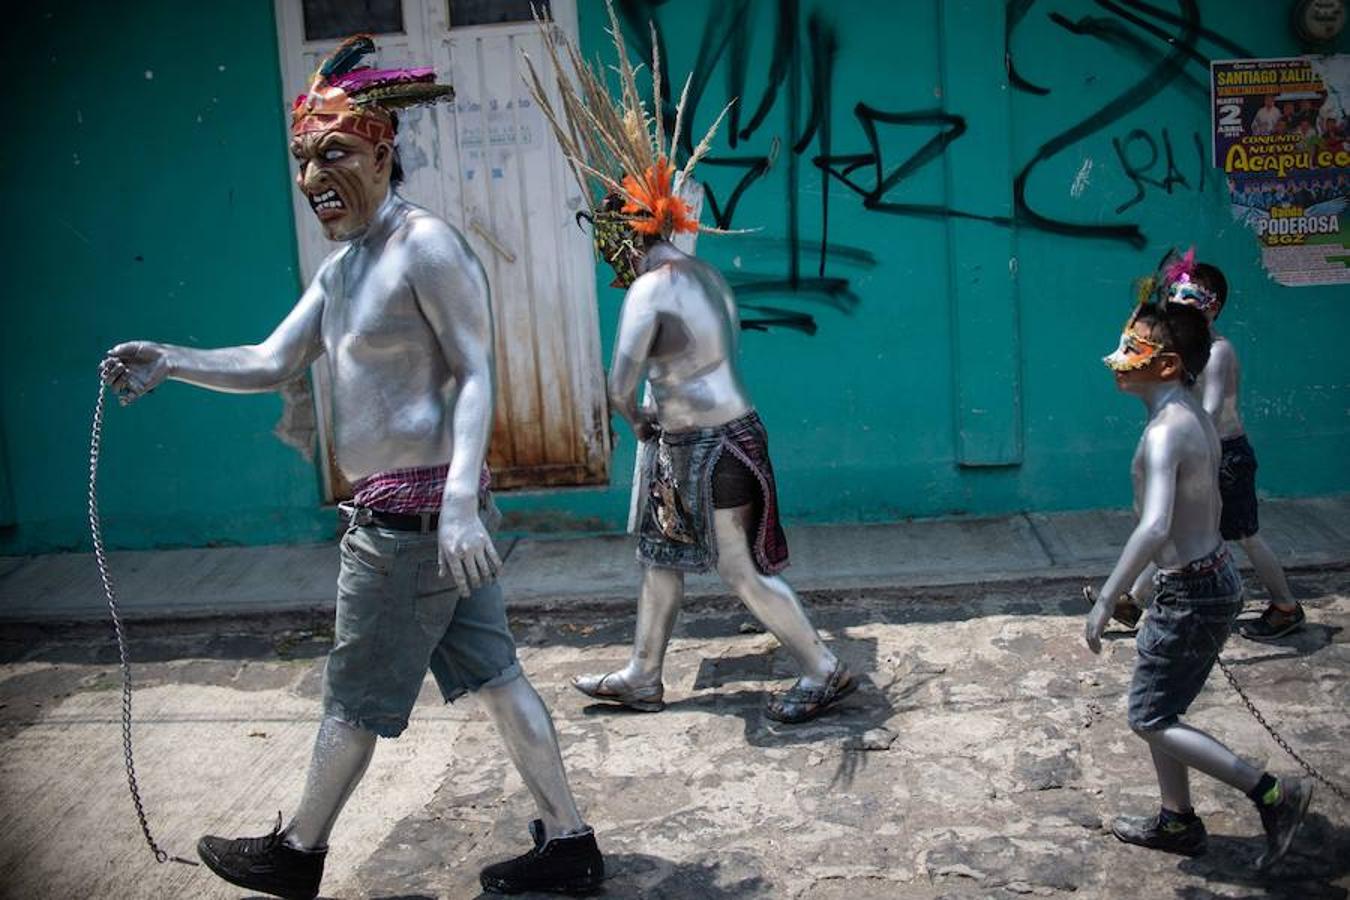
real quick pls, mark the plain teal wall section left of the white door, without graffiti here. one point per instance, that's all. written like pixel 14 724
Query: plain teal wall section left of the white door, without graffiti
pixel 148 198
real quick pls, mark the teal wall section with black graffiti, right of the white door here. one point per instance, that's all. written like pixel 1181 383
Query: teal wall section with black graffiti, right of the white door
pixel 867 416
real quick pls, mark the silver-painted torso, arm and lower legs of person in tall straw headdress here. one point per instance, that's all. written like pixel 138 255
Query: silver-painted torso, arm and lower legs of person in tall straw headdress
pixel 680 329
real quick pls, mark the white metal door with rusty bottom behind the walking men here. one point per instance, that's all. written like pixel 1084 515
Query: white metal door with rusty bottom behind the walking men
pixel 489 167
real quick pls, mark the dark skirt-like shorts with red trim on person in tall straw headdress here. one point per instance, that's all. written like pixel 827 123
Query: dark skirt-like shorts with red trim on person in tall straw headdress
pixel 686 476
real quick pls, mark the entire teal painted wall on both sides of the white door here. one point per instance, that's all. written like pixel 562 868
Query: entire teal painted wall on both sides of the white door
pixel 955 361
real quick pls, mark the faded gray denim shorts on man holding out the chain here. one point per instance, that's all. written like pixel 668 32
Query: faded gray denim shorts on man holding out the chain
pixel 396 619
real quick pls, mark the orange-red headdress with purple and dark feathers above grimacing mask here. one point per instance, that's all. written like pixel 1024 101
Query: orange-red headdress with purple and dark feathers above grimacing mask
pixel 360 101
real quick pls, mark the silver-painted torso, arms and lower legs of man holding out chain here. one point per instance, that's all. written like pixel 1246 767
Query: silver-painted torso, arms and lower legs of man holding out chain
pixel 402 316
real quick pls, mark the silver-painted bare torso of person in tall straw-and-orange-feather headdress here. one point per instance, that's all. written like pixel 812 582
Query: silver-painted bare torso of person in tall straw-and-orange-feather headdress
pixel 680 322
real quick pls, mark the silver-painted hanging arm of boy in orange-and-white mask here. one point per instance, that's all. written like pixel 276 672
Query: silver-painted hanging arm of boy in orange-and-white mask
pixel 1151 534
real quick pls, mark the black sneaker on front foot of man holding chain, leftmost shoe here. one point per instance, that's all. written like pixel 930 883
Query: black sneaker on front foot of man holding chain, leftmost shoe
pixel 265 864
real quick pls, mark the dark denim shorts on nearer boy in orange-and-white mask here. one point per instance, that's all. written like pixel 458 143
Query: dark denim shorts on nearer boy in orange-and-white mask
pixel 1187 625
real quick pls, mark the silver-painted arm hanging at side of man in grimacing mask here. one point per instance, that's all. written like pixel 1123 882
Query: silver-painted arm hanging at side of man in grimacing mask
pixel 452 292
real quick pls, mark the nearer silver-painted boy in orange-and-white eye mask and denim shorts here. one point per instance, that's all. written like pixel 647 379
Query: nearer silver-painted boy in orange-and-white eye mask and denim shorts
pixel 1199 592
